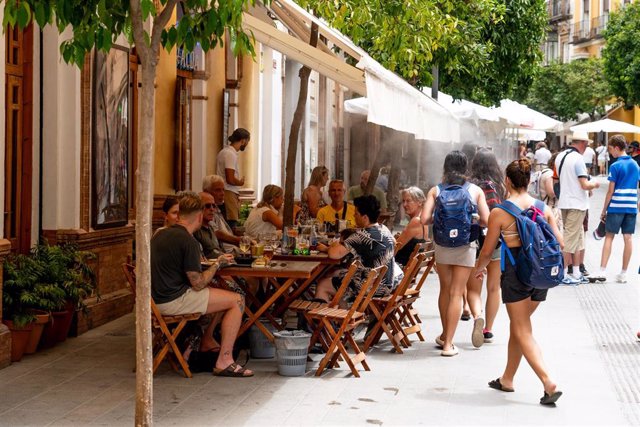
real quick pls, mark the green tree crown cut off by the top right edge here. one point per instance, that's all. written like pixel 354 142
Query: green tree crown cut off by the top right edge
pixel 621 54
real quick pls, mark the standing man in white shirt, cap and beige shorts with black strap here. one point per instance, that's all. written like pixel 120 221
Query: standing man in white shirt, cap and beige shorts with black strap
pixel 575 185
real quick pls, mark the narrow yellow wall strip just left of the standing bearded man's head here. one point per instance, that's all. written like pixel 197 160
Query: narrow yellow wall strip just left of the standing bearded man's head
pixel 215 88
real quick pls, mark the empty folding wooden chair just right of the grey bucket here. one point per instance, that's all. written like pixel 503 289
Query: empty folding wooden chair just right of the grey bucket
pixel 337 339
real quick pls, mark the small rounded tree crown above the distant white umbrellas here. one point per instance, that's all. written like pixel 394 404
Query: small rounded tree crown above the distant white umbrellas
pixel 566 90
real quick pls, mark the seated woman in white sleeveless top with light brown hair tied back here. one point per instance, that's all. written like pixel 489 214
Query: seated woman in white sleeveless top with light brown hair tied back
pixel 264 218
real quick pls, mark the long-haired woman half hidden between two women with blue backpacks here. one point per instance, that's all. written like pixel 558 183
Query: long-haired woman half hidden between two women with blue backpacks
pixel 486 174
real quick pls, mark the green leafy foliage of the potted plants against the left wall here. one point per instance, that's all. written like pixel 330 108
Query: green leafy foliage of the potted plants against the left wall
pixel 46 279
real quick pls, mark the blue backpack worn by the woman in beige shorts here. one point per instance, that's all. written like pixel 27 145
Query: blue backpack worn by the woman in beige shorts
pixel 452 219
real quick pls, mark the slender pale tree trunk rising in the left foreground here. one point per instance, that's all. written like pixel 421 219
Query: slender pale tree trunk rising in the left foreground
pixel 144 205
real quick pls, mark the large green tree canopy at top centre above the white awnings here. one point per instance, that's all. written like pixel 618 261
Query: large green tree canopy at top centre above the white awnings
pixel 485 49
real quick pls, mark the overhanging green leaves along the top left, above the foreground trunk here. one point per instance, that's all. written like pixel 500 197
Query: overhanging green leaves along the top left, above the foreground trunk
pixel 98 23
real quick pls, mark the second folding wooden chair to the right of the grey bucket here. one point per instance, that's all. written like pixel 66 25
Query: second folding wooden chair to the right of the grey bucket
pixel 385 309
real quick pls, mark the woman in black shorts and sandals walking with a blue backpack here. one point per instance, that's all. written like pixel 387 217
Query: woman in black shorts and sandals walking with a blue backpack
pixel 531 260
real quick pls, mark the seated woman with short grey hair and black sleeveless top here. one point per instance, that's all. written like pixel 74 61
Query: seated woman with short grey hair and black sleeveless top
pixel 415 232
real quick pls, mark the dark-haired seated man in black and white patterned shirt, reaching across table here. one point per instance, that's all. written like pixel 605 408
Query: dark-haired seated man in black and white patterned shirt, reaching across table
pixel 372 244
